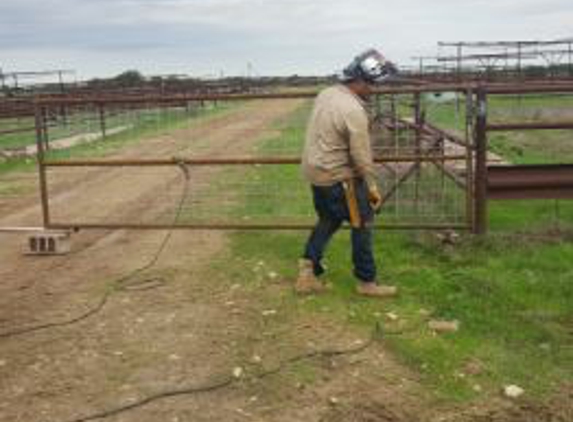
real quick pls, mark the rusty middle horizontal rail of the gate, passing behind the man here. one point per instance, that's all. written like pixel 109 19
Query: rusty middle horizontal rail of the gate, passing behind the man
pixel 230 161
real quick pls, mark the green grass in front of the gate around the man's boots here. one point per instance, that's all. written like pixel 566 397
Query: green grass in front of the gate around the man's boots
pixel 515 310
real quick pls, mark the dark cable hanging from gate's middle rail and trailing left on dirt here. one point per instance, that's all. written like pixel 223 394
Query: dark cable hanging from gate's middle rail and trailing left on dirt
pixel 125 282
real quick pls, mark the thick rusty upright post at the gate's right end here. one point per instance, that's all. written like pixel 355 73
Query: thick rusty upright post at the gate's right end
pixel 480 186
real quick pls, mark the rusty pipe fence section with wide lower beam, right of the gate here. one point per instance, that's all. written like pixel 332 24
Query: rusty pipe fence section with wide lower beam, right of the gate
pixel 541 120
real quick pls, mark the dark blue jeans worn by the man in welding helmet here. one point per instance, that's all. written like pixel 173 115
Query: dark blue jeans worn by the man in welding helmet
pixel 332 210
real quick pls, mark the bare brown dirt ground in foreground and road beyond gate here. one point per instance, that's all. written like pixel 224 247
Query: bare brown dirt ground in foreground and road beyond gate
pixel 196 328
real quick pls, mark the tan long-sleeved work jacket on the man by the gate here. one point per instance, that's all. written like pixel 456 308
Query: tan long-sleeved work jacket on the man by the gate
pixel 337 143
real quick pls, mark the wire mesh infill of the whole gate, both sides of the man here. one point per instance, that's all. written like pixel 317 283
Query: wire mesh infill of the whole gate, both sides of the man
pixel 235 163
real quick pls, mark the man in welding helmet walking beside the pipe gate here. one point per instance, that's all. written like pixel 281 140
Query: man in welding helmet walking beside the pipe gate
pixel 337 161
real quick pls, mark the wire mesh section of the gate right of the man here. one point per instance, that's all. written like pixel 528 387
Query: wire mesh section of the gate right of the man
pixel 430 188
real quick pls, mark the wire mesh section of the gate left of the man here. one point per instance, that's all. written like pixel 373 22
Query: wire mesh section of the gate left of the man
pixel 196 193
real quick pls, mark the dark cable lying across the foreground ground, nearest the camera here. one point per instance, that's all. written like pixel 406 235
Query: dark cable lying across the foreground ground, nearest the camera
pixel 228 380
